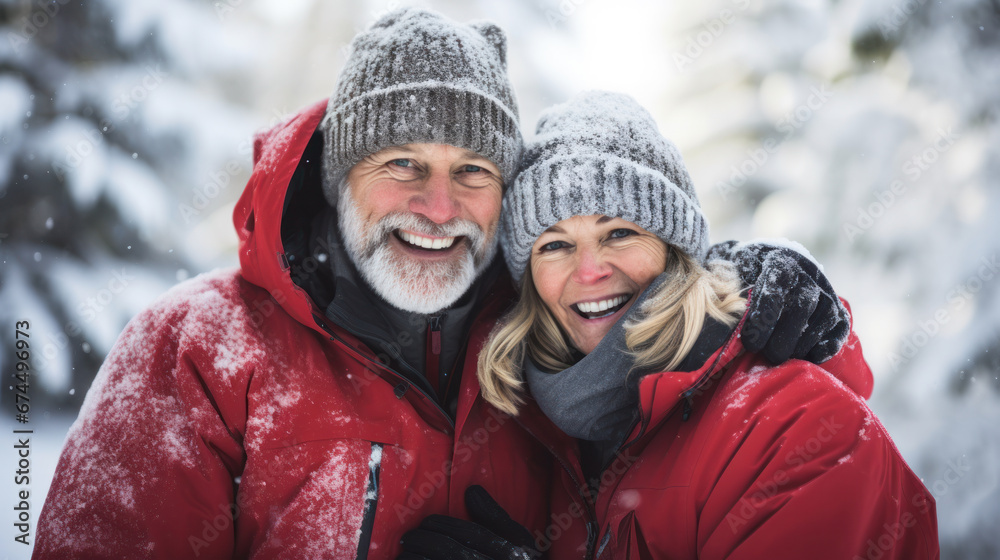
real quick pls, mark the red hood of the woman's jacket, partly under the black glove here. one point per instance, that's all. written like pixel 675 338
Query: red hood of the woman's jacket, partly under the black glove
pixel 660 393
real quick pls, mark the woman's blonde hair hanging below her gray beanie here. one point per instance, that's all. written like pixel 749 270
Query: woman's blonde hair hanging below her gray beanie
pixel 668 326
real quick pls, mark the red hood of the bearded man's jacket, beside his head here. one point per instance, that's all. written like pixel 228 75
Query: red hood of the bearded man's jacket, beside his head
pixel 258 213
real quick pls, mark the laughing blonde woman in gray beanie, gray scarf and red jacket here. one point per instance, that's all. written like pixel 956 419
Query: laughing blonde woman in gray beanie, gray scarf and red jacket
pixel 624 357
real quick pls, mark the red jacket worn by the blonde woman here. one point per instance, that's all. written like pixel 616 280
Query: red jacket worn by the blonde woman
pixel 743 460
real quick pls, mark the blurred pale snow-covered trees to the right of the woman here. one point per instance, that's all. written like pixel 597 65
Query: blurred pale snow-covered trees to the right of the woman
pixel 868 131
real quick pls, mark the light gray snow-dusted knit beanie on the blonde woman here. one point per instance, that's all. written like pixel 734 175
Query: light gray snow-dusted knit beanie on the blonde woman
pixel 600 153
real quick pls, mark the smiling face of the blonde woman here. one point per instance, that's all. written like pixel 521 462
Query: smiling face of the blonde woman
pixel 589 270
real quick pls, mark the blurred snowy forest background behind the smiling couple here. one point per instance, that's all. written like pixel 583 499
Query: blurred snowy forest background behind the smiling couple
pixel 868 131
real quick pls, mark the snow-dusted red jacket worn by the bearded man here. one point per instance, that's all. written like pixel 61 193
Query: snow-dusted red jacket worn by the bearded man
pixel 229 421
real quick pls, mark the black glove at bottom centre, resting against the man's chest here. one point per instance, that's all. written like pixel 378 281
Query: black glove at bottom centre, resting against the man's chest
pixel 492 535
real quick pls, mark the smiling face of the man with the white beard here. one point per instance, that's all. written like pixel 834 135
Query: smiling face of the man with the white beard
pixel 419 221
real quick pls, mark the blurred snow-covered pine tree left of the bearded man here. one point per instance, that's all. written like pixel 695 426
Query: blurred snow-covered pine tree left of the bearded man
pixel 118 150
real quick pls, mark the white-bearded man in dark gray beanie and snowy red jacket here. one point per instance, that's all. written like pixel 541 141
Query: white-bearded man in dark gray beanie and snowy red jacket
pixel 321 400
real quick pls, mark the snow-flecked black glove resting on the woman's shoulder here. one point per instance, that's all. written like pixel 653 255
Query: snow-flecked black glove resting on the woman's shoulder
pixel 794 312
